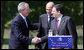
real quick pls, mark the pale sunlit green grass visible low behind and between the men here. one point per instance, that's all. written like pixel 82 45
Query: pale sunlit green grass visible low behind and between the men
pixel 33 34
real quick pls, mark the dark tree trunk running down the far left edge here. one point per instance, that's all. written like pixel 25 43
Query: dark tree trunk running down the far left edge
pixel 2 20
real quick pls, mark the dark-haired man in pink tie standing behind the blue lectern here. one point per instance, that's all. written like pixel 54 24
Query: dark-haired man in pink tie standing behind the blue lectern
pixel 63 25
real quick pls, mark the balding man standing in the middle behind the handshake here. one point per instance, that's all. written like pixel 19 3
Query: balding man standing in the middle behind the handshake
pixel 44 21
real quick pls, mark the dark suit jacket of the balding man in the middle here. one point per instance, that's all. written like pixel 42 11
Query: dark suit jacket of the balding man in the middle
pixel 43 30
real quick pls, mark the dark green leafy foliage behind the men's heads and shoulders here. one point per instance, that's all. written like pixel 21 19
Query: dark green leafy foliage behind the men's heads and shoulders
pixel 73 9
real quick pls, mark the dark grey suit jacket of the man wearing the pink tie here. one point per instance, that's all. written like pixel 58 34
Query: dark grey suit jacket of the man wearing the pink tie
pixel 66 27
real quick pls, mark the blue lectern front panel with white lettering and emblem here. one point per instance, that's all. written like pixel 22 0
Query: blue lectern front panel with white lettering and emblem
pixel 60 42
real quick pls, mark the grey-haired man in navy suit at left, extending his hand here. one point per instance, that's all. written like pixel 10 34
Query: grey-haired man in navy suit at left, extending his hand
pixel 20 26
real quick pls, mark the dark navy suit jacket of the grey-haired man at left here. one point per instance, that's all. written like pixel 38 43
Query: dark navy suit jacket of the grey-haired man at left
pixel 19 36
